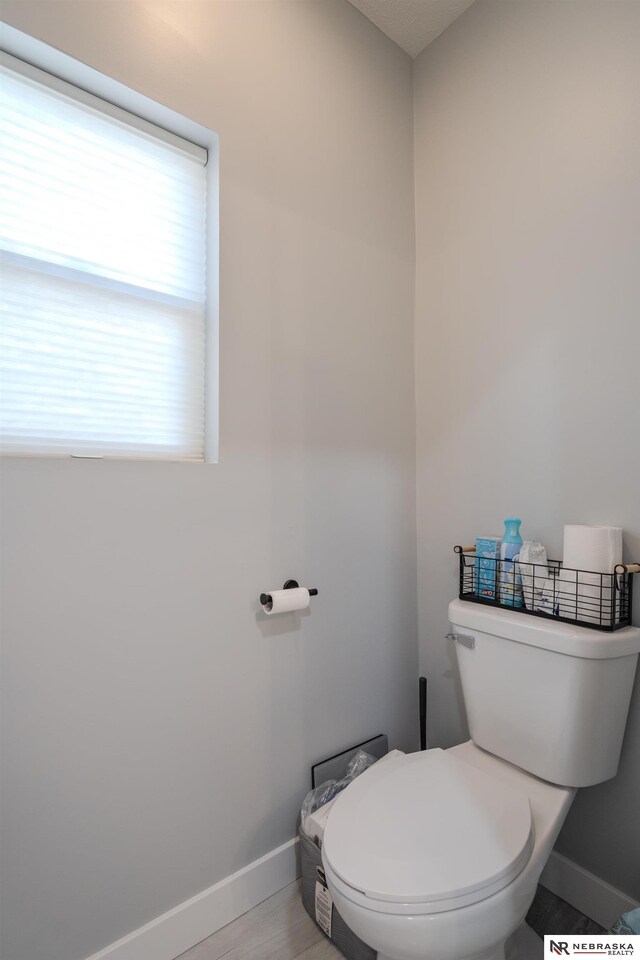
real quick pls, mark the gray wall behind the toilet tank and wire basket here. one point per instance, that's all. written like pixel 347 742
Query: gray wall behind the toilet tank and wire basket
pixel 527 137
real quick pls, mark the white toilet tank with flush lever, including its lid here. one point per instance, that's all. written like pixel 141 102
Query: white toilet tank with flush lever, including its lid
pixel 548 697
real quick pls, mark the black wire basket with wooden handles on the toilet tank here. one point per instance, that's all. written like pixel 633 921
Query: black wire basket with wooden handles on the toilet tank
pixel 601 601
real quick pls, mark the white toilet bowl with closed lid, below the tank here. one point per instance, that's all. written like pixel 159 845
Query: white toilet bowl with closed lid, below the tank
pixel 438 854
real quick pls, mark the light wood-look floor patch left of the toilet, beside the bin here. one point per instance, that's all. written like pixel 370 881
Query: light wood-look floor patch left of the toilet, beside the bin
pixel 277 929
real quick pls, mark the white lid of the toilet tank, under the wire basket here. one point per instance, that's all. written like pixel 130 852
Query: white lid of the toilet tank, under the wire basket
pixel 573 641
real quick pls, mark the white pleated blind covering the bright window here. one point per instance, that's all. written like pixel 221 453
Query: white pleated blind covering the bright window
pixel 102 230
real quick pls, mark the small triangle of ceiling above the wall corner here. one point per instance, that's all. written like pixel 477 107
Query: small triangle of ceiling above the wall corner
pixel 413 24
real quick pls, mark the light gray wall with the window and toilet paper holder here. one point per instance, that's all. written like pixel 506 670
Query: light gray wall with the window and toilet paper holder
pixel 158 733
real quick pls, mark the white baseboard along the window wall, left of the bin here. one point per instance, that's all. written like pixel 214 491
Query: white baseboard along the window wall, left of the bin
pixel 169 935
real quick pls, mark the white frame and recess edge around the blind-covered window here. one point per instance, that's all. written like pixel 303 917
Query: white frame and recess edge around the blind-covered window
pixel 86 81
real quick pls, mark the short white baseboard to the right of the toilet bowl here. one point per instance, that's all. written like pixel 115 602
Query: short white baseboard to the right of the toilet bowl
pixel 584 891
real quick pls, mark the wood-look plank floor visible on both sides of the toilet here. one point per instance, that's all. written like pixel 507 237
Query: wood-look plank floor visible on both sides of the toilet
pixel 280 929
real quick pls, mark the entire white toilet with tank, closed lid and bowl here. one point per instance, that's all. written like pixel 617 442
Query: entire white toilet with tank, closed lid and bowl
pixel 437 855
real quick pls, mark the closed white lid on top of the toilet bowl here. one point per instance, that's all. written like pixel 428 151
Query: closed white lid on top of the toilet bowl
pixel 428 827
